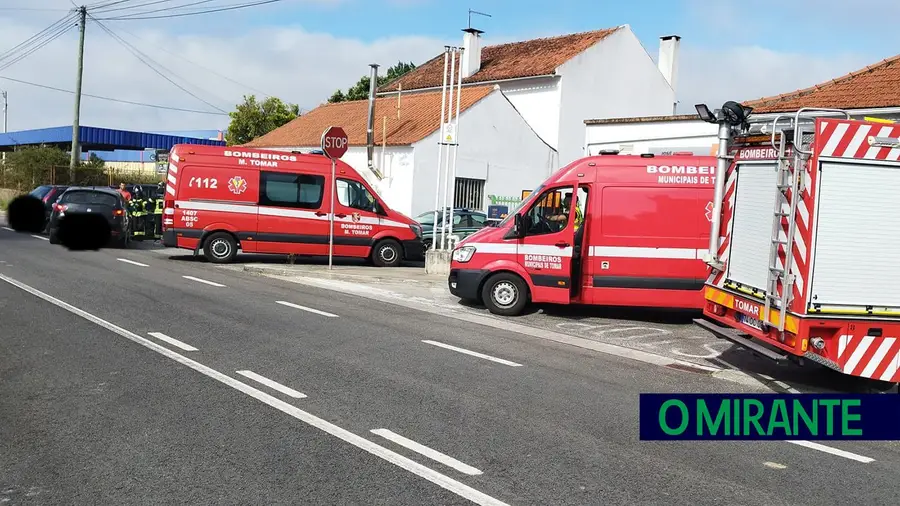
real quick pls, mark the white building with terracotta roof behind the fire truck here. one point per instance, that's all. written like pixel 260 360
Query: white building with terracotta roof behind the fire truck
pixel 871 92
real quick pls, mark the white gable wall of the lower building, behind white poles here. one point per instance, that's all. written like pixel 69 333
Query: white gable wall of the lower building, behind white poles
pixel 495 144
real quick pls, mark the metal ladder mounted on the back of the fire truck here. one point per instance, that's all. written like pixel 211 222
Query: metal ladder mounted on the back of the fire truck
pixel 798 134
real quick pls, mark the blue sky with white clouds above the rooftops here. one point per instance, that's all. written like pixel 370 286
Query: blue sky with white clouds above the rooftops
pixel 303 50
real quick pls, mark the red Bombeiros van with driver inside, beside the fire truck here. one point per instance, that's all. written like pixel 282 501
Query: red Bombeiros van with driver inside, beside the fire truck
pixel 645 223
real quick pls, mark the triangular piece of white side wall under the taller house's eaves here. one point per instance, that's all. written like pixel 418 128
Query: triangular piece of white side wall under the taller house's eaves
pixel 537 100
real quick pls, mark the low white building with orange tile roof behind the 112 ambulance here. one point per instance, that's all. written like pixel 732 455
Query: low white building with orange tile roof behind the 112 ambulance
pixel 498 153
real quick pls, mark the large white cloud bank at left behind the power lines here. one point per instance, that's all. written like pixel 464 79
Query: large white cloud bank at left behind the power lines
pixel 290 62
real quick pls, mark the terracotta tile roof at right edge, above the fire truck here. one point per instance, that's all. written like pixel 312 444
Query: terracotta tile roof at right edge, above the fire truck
pixel 872 87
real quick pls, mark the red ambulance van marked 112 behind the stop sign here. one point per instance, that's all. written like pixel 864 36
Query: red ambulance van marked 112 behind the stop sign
pixel 220 199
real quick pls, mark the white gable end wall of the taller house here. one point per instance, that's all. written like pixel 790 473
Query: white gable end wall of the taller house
pixel 615 78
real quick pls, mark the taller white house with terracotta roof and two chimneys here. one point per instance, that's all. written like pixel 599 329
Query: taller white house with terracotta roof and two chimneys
pixel 556 82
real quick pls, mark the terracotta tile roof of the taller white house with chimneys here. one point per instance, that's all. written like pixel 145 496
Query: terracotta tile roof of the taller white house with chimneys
pixel 537 57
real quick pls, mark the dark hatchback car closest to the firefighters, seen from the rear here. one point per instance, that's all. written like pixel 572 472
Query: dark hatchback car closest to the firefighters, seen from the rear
pixel 106 202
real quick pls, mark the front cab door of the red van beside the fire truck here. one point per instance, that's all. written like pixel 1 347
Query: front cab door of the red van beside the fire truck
pixel 546 250
